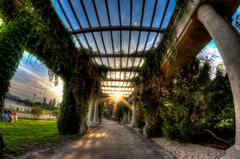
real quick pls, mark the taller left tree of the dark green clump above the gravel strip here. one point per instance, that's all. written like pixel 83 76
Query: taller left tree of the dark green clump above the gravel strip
pixel 183 103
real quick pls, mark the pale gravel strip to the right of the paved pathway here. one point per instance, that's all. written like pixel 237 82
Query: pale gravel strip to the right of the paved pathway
pixel 188 150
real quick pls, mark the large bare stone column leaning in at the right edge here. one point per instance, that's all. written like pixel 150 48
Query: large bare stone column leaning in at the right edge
pixel 228 43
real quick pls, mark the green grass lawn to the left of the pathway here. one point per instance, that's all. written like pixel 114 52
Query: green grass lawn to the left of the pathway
pixel 26 135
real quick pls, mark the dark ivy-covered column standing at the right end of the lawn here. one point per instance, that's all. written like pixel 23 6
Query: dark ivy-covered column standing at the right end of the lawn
pixel 68 121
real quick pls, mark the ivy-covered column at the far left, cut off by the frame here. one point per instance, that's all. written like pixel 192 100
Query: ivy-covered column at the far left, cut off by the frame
pixel 13 36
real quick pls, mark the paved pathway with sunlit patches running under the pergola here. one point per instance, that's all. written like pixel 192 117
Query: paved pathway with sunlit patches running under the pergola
pixel 110 141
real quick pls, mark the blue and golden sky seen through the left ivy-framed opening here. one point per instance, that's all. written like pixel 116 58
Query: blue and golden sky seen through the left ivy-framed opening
pixel 31 78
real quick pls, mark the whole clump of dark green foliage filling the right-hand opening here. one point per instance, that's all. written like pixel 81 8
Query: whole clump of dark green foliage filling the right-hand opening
pixel 193 102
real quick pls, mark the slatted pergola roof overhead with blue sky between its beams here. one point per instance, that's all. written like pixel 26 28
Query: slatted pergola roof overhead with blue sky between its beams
pixel 117 33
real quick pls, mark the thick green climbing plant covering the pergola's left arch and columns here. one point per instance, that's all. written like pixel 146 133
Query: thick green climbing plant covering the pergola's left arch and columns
pixel 34 26
